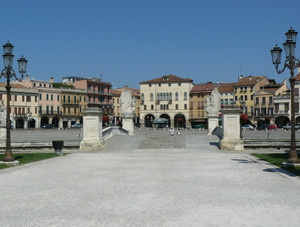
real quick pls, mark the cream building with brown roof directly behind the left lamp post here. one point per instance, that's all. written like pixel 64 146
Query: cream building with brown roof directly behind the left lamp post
pixel 23 105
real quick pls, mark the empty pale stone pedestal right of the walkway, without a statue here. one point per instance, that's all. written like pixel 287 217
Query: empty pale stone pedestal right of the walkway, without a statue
pixel 231 129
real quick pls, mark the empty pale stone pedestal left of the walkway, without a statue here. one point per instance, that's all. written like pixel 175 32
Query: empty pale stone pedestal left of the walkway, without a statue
pixel 92 130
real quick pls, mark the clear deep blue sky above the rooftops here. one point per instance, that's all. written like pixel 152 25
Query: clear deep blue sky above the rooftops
pixel 129 41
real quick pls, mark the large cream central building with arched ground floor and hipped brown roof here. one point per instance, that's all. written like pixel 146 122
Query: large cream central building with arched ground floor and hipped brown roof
pixel 166 97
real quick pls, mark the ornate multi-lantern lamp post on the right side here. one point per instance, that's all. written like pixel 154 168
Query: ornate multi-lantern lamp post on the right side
pixel 291 63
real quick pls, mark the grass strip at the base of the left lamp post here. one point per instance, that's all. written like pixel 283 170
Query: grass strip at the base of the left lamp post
pixel 24 158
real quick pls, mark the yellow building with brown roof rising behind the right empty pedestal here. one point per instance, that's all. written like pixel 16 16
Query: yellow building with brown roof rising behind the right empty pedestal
pixel 244 91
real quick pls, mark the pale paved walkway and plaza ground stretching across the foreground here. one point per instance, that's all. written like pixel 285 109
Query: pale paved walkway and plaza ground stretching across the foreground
pixel 150 179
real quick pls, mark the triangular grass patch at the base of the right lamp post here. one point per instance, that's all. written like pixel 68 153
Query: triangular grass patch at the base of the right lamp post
pixel 278 159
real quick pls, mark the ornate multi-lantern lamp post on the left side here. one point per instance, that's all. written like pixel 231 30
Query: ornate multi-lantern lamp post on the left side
pixel 9 73
